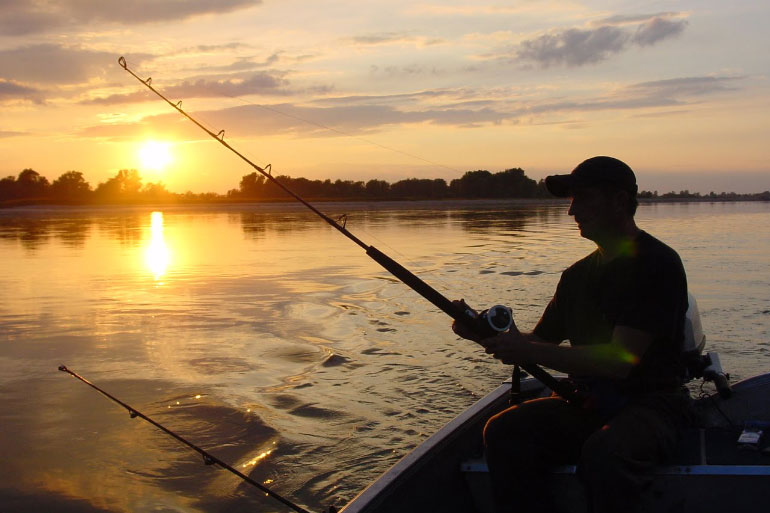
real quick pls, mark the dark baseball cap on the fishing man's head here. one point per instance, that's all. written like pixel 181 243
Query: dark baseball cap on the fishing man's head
pixel 594 171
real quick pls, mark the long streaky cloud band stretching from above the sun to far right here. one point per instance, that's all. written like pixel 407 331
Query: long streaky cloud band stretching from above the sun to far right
pixel 356 115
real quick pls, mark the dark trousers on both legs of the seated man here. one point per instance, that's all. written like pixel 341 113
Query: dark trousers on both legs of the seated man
pixel 614 455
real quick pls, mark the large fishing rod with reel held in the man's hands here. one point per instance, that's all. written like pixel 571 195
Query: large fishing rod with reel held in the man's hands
pixel 490 322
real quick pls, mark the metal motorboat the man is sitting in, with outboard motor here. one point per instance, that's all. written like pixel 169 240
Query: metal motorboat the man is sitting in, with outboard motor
pixel 722 463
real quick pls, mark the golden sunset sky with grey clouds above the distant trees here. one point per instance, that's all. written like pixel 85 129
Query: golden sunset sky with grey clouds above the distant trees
pixel 361 89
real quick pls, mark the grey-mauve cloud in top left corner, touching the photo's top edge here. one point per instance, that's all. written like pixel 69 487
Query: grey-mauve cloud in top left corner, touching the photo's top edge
pixel 24 17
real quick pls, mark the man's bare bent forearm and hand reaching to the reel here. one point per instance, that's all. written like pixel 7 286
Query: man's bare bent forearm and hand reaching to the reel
pixel 610 360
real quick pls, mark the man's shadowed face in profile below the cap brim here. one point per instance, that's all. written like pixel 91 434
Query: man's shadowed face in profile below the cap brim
pixel 595 213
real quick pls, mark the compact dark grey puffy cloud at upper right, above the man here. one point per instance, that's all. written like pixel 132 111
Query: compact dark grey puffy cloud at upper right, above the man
pixel 577 46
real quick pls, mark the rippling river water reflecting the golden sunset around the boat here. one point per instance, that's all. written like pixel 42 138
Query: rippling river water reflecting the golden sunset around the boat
pixel 266 337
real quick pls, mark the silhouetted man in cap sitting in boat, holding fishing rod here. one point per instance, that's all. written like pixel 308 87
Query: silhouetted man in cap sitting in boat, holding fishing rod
pixel 622 309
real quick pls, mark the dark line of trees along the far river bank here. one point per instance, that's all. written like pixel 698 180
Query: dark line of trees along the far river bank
pixel 127 187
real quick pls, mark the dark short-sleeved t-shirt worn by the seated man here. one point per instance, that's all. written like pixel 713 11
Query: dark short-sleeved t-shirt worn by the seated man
pixel 644 288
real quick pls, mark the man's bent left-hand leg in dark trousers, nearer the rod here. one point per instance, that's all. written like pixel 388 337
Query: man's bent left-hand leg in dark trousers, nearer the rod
pixel 523 442
